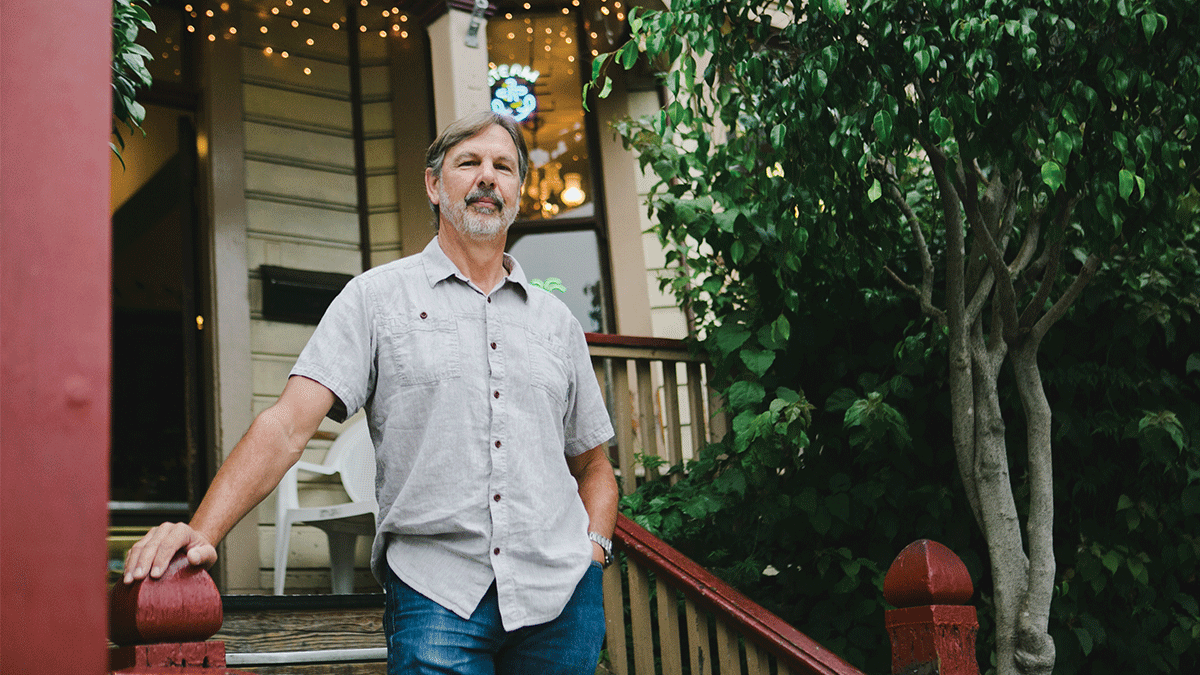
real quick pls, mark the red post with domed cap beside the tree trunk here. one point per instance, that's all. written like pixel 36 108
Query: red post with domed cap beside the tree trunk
pixel 933 630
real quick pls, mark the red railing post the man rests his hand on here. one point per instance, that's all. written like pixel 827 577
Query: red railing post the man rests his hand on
pixel 163 628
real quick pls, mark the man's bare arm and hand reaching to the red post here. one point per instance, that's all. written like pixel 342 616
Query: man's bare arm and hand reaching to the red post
pixel 274 443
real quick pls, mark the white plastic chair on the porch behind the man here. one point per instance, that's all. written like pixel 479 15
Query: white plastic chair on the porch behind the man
pixel 352 457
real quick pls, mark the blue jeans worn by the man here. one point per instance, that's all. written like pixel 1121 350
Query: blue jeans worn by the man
pixel 425 638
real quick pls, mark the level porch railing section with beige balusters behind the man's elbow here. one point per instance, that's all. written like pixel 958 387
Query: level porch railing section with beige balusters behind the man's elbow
pixel 661 403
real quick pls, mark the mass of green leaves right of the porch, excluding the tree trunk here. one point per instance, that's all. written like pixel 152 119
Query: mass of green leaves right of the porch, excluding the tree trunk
pixel 796 194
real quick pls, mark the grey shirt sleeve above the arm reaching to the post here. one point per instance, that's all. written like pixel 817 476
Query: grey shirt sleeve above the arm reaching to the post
pixel 341 353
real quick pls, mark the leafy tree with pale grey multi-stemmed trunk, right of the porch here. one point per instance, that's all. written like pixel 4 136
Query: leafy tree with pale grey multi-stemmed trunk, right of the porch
pixel 987 156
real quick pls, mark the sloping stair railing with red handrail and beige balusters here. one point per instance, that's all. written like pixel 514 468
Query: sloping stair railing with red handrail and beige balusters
pixel 748 638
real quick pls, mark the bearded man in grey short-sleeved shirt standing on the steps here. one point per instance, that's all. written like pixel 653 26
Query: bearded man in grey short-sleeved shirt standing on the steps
pixel 496 500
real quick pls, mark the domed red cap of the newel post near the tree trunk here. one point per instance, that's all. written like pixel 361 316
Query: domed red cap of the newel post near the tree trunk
pixel 927 574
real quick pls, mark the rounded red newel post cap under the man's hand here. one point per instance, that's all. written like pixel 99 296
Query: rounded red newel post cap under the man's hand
pixel 184 606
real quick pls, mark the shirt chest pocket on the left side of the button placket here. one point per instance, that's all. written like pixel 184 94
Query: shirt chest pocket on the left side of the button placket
pixel 425 349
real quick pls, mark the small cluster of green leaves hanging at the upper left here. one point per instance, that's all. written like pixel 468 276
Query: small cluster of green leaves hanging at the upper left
pixel 130 73
